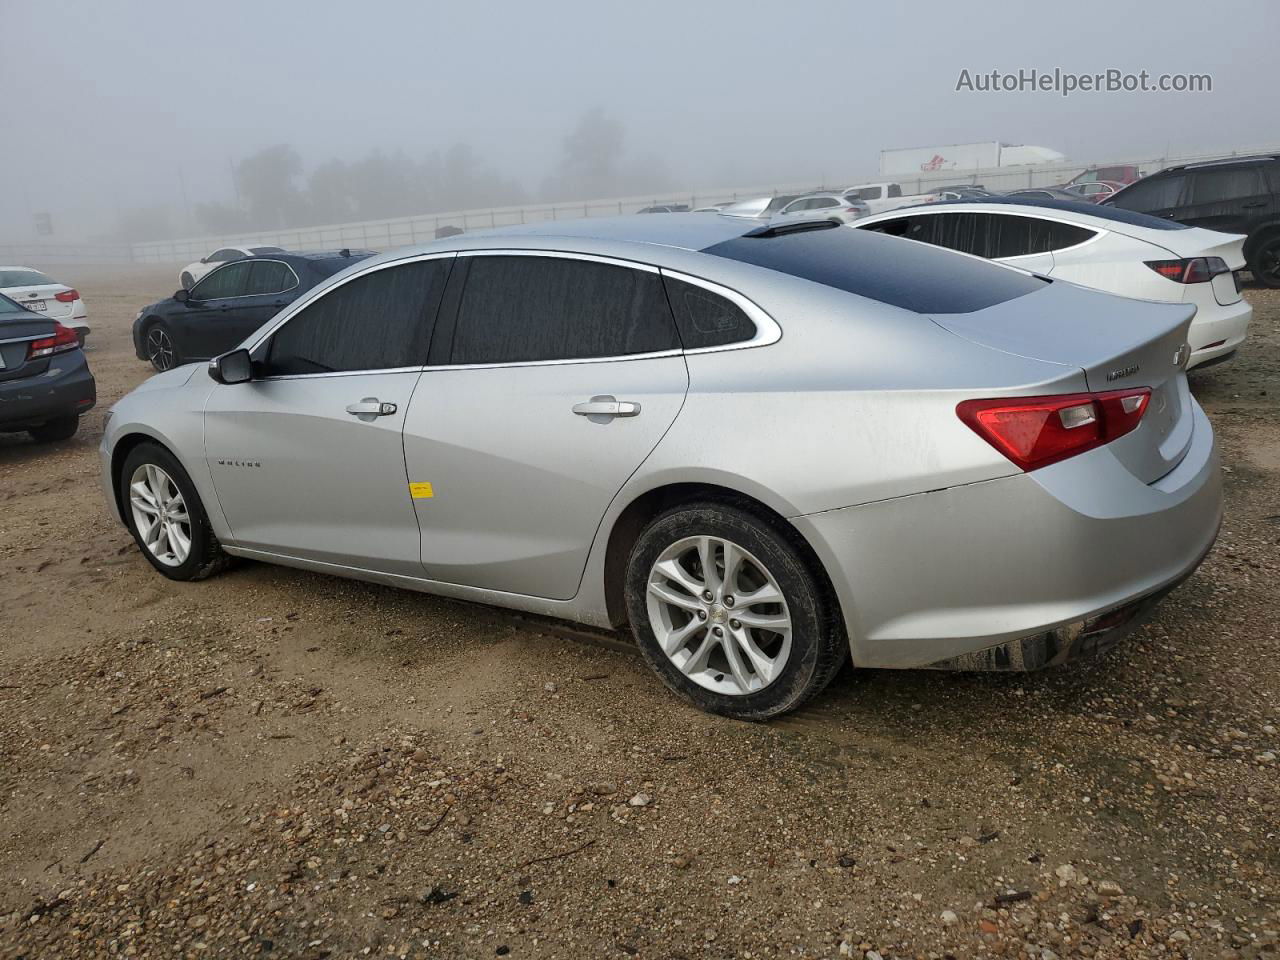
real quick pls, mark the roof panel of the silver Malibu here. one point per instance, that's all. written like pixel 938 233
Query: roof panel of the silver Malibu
pixel 683 231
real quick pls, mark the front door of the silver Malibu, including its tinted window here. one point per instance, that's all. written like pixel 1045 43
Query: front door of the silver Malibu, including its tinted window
pixel 308 459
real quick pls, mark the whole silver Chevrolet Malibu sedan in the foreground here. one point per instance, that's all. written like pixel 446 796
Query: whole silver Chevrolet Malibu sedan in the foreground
pixel 771 450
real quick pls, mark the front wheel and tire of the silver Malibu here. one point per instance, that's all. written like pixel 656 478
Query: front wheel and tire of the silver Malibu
pixel 166 515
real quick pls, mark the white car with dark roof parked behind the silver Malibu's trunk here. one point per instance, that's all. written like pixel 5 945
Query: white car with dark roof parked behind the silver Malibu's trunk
pixel 1104 248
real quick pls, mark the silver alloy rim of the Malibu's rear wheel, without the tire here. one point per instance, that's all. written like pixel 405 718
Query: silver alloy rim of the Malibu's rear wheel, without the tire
pixel 719 615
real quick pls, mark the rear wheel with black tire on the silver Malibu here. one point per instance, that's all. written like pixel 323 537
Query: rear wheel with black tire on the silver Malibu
pixel 729 614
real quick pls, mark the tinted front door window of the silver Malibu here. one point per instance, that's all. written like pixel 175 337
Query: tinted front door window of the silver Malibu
pixel 378 322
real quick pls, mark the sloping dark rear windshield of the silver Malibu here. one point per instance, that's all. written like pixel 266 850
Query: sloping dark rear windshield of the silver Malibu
pixel 911 276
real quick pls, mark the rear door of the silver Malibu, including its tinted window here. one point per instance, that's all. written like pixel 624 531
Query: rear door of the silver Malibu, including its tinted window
pixel 561 376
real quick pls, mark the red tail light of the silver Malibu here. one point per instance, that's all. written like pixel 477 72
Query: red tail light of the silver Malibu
pixel 1035 432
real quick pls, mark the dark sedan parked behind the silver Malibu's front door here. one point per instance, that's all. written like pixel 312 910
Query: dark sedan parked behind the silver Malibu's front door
pixel 227 305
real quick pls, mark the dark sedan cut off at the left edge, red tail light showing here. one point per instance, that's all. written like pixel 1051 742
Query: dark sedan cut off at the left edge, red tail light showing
pixel 45 383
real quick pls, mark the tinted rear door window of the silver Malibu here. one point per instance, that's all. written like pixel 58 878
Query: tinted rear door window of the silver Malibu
pixel 520 309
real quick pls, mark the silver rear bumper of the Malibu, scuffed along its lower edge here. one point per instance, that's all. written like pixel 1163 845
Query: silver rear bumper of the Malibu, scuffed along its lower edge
pixel 940 579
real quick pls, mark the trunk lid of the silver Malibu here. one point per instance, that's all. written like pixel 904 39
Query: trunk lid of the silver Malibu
pixel 1119 344
